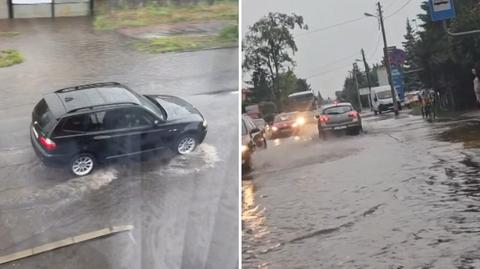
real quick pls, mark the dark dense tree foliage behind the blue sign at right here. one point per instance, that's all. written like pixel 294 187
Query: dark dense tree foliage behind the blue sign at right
pixel 446 61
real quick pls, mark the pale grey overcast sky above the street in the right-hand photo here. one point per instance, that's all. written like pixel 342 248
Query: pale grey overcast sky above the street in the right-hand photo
pixel 324 57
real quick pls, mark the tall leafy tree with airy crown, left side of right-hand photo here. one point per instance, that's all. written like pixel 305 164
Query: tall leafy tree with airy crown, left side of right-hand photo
pixel 269 45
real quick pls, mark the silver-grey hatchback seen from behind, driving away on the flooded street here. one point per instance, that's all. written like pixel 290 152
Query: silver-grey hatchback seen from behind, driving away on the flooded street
pixel 339 117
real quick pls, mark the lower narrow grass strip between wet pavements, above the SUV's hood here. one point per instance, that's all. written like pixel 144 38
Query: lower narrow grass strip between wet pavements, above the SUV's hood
pixel 226 38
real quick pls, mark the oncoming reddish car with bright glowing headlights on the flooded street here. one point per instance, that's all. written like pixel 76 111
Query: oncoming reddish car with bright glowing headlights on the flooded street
pixel 287 124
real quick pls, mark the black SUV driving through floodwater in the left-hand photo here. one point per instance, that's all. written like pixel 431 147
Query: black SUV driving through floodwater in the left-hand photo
pixel 84 125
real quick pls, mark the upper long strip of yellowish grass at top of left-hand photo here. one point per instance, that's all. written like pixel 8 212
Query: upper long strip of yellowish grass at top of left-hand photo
pixel 166 14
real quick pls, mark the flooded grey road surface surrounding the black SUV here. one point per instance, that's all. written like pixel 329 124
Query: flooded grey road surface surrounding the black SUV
pixel 184 209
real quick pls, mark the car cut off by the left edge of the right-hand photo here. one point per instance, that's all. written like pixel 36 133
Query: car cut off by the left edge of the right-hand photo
pixel 250 134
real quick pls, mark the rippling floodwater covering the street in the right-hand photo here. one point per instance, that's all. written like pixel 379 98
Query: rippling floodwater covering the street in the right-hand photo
pixel 405 194
